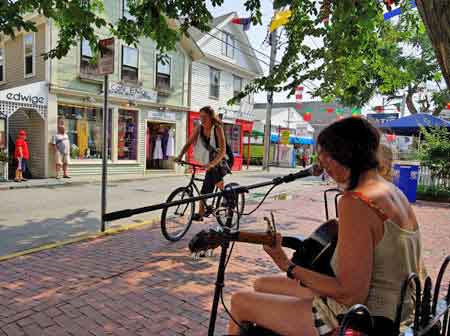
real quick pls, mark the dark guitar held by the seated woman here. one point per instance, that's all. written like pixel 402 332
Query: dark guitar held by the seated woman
pixel 314 252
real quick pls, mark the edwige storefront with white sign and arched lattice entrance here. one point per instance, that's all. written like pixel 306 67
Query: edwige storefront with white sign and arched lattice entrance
pixel 24 108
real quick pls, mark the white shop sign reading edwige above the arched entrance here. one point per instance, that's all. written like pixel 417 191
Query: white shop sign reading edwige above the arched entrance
pixel 33 94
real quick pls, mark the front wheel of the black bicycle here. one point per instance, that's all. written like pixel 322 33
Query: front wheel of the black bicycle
pixel 176 220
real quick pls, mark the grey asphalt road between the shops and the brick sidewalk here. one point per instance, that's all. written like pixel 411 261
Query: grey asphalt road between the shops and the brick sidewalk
pixel 37 216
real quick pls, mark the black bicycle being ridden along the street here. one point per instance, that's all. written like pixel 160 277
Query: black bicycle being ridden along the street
pixel 176 221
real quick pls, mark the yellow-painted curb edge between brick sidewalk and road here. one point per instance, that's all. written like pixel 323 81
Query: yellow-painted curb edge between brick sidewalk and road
pixel 88 237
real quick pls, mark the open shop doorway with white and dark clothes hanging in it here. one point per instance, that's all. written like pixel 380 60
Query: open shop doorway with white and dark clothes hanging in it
pixel 160 145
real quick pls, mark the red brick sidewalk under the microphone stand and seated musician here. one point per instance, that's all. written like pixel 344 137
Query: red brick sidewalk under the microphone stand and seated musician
pixel 135 283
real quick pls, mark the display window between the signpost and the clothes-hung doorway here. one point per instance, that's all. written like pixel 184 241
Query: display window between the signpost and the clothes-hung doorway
pixel 127 135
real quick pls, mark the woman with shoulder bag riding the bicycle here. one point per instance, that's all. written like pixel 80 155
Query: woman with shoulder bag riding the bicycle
pixel 208 139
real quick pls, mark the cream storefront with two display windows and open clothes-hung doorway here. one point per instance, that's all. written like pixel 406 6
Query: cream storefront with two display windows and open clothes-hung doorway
pixel 141 136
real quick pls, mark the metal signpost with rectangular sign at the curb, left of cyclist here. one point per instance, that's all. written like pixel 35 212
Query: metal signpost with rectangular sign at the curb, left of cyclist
pixel 105 67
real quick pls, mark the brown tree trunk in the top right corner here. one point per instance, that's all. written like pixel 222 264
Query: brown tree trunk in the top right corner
pixel 435 15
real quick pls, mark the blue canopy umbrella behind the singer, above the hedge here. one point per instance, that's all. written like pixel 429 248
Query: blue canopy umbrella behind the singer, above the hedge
pixel 411 125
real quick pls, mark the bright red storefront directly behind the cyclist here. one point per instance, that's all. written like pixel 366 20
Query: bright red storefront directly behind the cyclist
pixel 235 131
